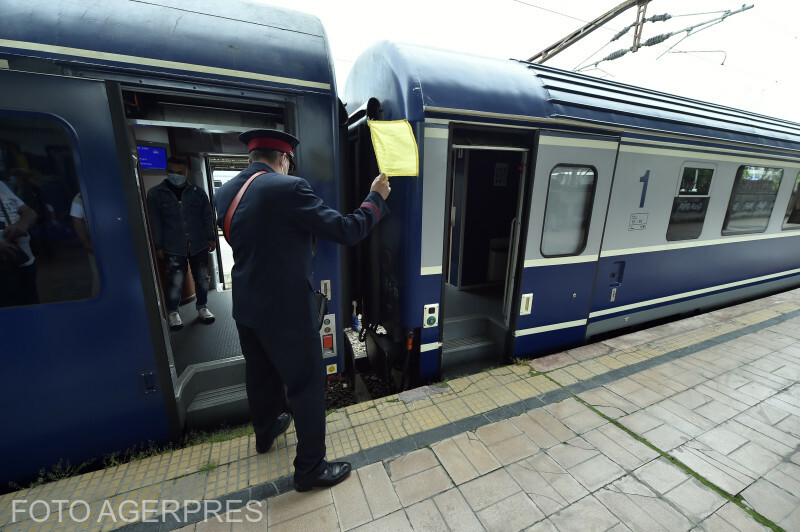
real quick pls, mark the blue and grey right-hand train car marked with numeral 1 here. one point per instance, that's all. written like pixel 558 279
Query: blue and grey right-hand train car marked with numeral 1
pixel 552 207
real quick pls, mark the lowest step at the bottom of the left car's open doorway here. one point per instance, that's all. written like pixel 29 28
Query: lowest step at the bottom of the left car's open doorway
pixel 212 408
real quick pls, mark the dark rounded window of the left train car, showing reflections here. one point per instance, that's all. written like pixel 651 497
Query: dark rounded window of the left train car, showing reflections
pixel 40 191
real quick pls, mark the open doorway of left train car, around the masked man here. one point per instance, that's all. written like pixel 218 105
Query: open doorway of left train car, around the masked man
pixel 203 132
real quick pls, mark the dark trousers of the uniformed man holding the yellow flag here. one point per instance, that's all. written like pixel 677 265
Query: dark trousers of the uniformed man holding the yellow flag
pixel 293 360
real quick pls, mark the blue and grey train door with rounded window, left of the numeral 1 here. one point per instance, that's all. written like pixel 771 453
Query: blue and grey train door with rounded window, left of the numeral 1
pixel 571 186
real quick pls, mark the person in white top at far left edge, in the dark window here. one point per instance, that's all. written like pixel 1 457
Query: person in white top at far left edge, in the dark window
pixel 17 264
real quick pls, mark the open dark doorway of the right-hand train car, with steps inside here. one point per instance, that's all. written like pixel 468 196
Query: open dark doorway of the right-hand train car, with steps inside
pixel 487 180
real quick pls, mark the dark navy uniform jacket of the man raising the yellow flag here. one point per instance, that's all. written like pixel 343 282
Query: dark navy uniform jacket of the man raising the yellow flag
pixel 271 237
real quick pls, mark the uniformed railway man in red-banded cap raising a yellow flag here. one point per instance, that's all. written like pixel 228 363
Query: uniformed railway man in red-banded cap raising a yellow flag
pixel 271 235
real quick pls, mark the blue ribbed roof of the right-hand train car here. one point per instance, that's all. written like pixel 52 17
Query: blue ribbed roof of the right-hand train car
pixel 413 81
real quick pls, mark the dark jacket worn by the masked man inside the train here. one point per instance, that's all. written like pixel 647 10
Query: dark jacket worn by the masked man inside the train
pixel 180 227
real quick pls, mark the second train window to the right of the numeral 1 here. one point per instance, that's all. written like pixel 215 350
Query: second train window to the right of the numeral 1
pixel 752 199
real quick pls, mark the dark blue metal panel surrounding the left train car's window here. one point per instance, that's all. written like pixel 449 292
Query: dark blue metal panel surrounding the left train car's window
pixel 72 387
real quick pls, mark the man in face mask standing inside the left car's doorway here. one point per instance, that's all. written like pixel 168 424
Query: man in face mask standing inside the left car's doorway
pixel 183 228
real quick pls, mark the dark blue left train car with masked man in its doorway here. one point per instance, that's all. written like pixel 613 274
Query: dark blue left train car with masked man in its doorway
pixel 94 96
